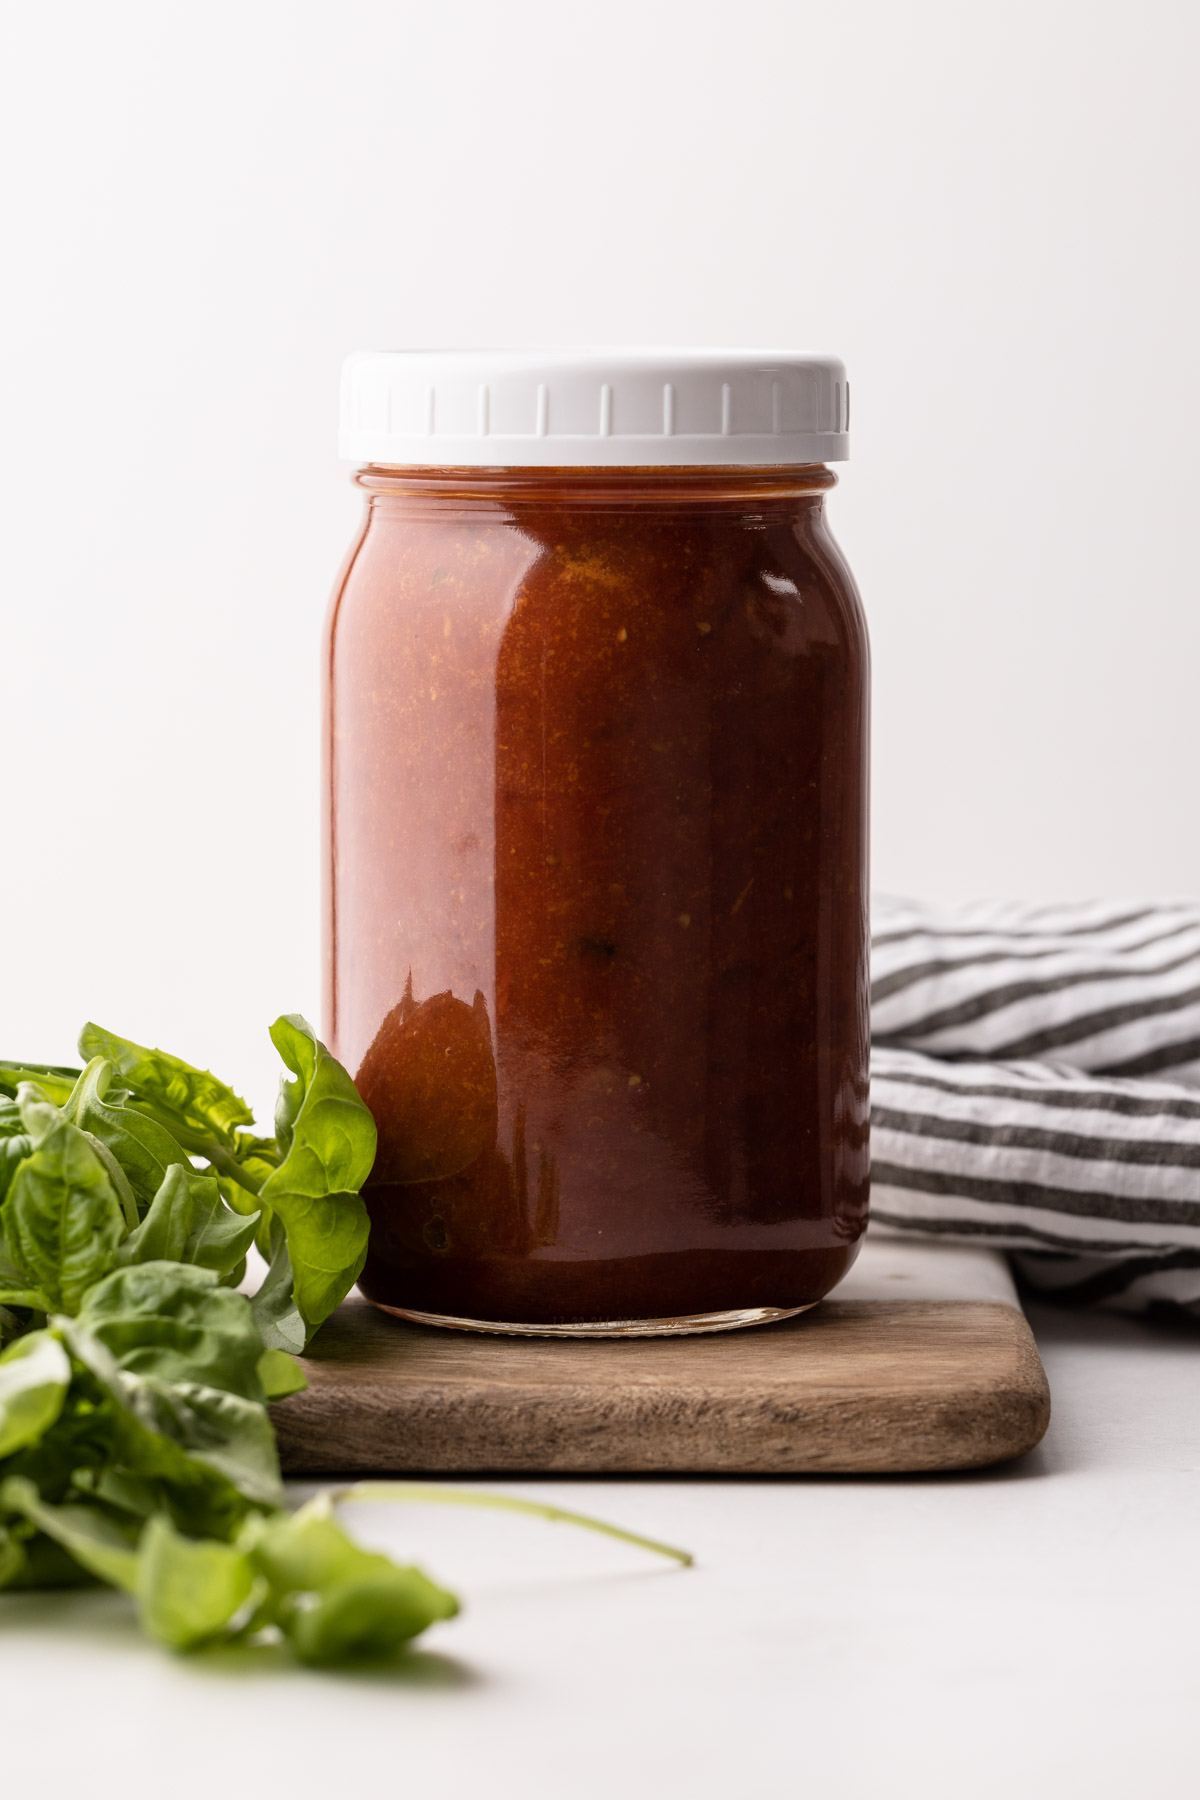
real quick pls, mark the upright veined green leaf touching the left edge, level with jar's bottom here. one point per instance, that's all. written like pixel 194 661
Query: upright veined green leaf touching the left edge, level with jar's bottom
pixel 62 1221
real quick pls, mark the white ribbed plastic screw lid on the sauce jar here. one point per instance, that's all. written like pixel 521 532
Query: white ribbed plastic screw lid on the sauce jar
pixel 550 408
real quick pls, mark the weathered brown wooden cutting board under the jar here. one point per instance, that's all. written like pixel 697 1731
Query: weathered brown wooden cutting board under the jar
pixel 922 1360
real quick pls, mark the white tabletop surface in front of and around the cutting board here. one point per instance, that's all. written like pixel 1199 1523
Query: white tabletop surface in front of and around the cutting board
pixel 1021 1633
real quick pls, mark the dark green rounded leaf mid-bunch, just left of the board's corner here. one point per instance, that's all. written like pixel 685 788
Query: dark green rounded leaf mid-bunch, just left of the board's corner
pixel 174 1322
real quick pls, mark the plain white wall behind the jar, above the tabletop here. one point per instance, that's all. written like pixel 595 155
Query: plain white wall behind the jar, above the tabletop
pixel 987 210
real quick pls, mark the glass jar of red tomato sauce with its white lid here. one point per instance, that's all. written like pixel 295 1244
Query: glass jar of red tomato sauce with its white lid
pixel 596 793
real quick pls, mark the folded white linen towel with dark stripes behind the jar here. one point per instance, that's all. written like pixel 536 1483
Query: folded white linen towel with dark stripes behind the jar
pixel 1035 1084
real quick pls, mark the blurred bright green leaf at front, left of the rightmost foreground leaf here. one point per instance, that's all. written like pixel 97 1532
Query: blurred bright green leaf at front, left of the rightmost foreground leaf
pixel 190 1590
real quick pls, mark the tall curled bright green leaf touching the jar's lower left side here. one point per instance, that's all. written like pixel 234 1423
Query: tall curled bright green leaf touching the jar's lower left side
pixel 328 1142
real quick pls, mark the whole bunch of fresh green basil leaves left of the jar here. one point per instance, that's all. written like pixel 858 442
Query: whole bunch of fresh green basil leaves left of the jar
pixel 136 1441
